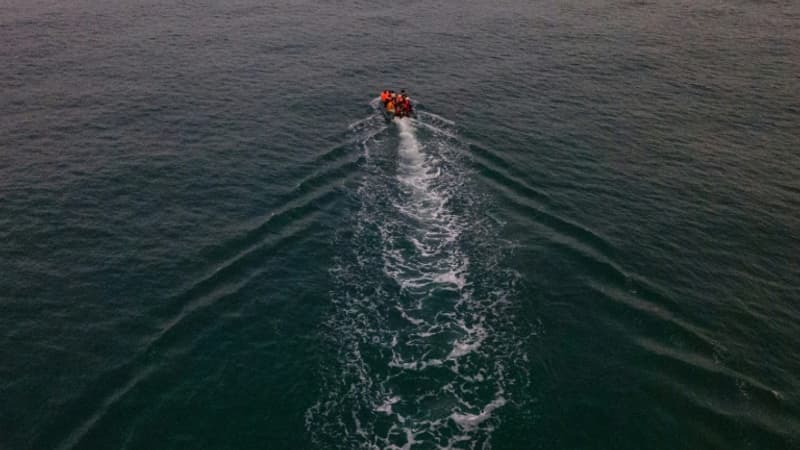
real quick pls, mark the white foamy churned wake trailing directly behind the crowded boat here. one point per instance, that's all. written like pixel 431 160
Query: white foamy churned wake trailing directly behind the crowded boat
pixel 423 318
